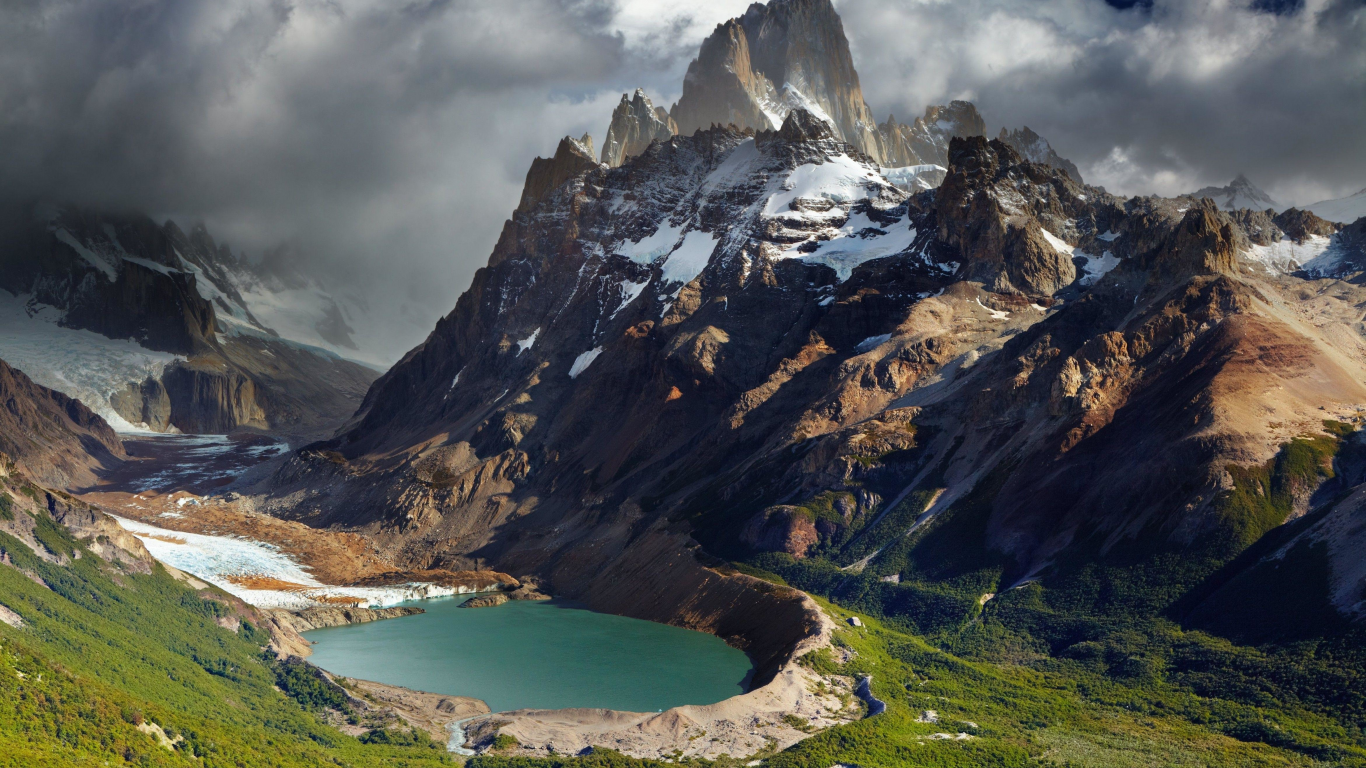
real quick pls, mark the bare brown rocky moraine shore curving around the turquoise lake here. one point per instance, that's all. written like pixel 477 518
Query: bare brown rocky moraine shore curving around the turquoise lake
pixel 652 575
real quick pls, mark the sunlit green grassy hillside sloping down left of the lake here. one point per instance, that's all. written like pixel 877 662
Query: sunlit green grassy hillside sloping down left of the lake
pixel 104 655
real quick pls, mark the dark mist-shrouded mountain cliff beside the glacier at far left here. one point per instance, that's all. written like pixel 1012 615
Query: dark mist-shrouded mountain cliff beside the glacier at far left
pixel 161 290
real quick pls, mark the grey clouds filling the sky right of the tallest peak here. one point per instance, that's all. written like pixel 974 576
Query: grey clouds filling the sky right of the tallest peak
pixel 1160 98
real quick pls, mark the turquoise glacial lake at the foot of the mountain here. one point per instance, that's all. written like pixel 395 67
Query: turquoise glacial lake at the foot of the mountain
pixel 544 655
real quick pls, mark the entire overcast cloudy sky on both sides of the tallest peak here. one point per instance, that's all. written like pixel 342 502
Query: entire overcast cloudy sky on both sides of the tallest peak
pixel 389 141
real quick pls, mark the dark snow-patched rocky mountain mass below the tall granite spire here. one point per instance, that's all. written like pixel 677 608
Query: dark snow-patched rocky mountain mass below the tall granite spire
pixel 737 286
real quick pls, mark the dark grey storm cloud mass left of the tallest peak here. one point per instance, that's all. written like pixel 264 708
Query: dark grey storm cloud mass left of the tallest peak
pixel 387 141
